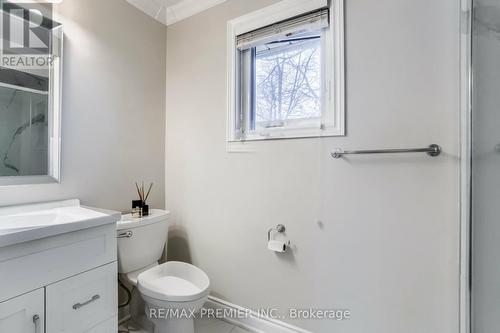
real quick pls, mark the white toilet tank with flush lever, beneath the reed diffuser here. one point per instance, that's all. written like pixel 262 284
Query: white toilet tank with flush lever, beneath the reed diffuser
pixel 141 240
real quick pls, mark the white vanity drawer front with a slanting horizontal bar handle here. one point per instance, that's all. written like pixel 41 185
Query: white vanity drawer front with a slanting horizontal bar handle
pixel 83 301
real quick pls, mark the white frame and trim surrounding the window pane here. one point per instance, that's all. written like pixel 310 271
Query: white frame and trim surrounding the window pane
pixel 333 85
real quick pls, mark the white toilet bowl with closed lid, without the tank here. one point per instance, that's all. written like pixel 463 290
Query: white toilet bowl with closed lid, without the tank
pixel 173 293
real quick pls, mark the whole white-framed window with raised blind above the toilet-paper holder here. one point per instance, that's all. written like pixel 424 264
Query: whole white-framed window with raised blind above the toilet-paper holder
pixel 286 75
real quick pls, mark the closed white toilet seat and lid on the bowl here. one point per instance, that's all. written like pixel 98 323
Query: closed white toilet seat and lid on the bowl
pixel 174 281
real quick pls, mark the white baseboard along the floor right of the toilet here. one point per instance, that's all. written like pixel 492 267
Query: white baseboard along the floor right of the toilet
pixel 253 322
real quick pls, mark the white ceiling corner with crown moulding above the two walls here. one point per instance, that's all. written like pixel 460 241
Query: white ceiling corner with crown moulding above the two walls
pixel 171 11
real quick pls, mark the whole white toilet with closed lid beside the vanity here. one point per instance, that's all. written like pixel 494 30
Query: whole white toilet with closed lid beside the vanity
pixel 172 285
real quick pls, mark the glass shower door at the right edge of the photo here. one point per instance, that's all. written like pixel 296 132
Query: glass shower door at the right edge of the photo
pixel 486 167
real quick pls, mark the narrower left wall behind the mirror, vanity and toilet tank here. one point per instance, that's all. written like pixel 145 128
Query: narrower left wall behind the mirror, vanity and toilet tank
pixel 113 107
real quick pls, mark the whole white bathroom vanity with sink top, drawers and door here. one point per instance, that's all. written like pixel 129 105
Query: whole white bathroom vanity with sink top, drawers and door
pixel 58 270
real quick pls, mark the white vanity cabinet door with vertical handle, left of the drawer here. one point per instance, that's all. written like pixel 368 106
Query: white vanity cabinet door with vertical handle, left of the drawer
pixel 23 314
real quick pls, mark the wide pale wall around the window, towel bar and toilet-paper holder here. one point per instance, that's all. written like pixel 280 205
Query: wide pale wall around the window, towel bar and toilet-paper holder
pixel 376 235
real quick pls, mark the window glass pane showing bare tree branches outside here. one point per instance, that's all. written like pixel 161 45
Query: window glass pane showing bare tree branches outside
pixel 288 82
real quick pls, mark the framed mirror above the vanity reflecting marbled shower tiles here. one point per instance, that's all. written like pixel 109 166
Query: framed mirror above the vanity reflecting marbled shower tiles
pixel 30 98
